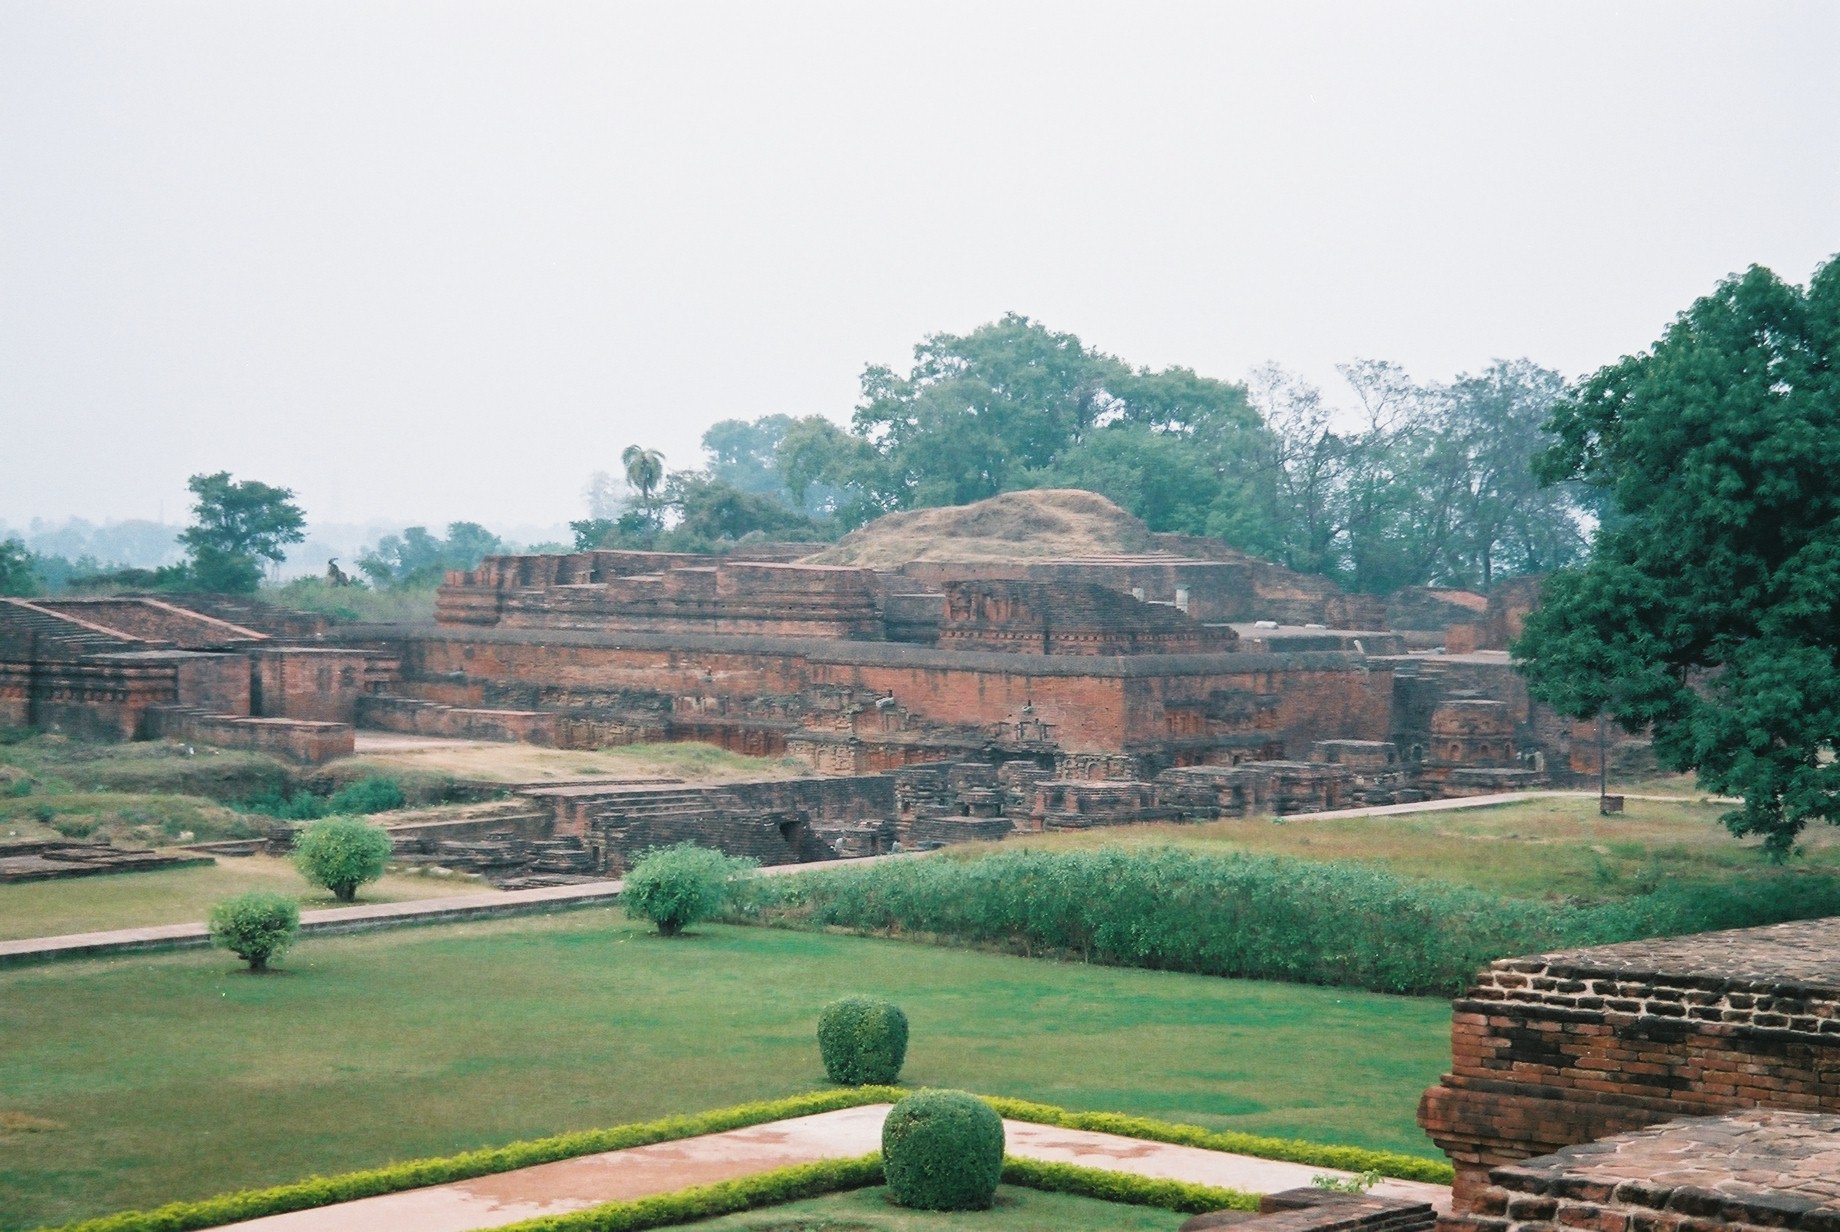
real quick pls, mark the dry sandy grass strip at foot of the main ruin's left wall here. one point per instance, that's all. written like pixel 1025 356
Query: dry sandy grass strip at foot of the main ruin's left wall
pixel 529 764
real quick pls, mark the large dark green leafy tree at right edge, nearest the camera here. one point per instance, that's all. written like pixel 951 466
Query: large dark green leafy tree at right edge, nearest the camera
pixel 1710 608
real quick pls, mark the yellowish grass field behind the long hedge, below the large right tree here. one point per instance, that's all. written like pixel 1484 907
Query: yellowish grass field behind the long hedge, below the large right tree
pixel 1539 849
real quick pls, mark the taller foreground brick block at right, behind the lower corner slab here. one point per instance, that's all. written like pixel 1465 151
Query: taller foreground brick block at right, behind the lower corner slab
pixel 1561 1049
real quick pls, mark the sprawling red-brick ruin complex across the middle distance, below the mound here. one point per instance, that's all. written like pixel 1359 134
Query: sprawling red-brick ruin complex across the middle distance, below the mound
pixel 993 696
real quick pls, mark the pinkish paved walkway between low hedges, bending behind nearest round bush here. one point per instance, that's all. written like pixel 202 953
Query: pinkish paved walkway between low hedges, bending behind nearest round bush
pixel 661 1169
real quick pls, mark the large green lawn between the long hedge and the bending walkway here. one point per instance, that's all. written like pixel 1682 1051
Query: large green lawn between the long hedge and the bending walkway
pixel 146 1078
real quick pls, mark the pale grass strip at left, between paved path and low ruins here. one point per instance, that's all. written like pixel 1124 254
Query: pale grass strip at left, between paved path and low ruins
pixel 185 895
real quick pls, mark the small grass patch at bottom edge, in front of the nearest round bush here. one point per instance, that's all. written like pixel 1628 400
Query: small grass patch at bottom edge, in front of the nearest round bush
pixel 1017 1211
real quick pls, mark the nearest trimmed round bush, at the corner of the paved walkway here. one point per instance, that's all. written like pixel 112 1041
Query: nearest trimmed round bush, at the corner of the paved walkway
pixel 943 1150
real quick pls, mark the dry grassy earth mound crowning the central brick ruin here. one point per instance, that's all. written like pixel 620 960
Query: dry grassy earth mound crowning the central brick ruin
pixel 1042 525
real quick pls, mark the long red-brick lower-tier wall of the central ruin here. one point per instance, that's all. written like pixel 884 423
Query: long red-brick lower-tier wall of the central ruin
pixel 1144 705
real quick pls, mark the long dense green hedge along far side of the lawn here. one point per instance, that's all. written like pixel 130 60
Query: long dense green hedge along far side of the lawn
pixel 1250 917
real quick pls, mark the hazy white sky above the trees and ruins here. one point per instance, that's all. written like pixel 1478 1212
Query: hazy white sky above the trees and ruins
pixel 443 260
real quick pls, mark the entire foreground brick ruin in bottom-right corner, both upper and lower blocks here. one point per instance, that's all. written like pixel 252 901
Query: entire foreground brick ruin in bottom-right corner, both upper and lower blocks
pixel 1683 1084
